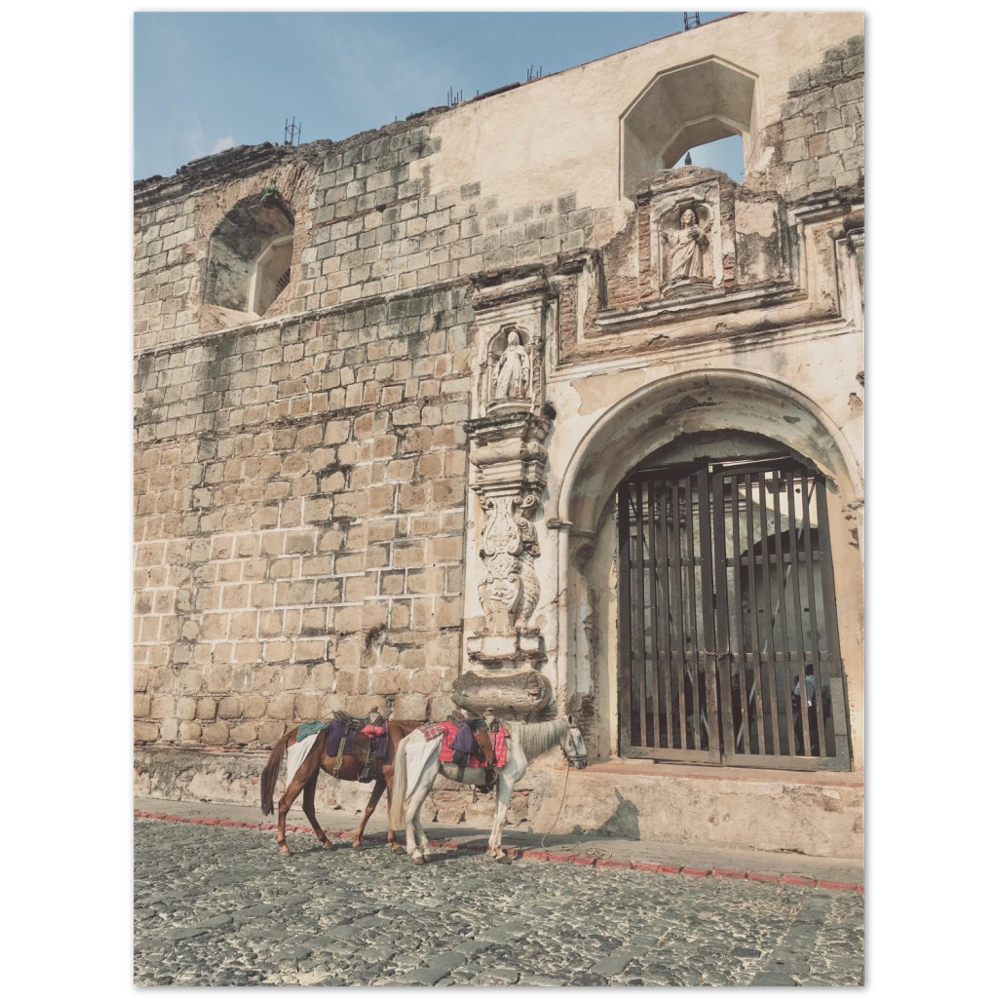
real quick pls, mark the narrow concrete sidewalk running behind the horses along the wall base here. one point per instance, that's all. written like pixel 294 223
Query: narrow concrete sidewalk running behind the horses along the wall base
pixel 659 856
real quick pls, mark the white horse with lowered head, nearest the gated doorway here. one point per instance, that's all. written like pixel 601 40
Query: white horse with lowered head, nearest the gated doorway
pixel 418 764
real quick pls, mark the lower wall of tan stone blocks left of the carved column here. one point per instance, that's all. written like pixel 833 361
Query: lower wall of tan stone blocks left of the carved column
pixel 299 520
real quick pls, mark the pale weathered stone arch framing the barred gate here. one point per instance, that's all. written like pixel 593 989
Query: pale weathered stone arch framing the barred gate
pixel 703 407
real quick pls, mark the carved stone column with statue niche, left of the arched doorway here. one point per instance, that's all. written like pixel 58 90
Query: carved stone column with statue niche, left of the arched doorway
pixel 505 650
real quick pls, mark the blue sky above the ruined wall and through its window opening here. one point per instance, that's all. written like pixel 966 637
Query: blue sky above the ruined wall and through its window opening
pixel 207 80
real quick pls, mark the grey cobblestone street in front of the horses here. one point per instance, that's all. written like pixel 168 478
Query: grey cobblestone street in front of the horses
pixel 218 906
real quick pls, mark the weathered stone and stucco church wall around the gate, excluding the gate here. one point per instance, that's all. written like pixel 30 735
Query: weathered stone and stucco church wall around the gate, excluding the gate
pixel 321 490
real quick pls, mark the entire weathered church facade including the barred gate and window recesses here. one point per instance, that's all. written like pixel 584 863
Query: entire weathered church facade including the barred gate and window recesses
pixel 493 409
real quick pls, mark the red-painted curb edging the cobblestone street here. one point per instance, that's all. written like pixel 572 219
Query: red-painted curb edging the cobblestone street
pixel 534 854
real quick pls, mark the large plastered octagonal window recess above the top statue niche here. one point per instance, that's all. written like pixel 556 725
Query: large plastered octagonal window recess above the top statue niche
pixel 681 109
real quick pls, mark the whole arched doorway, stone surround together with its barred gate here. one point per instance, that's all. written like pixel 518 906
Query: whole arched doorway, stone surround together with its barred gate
pixel 723 425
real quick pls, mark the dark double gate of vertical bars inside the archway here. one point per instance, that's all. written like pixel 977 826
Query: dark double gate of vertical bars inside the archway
pixel 728 641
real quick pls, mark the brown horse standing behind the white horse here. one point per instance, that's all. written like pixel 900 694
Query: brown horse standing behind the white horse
pixel 305 779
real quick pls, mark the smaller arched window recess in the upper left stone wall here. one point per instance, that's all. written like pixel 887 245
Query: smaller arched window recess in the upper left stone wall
pixel 250 255
